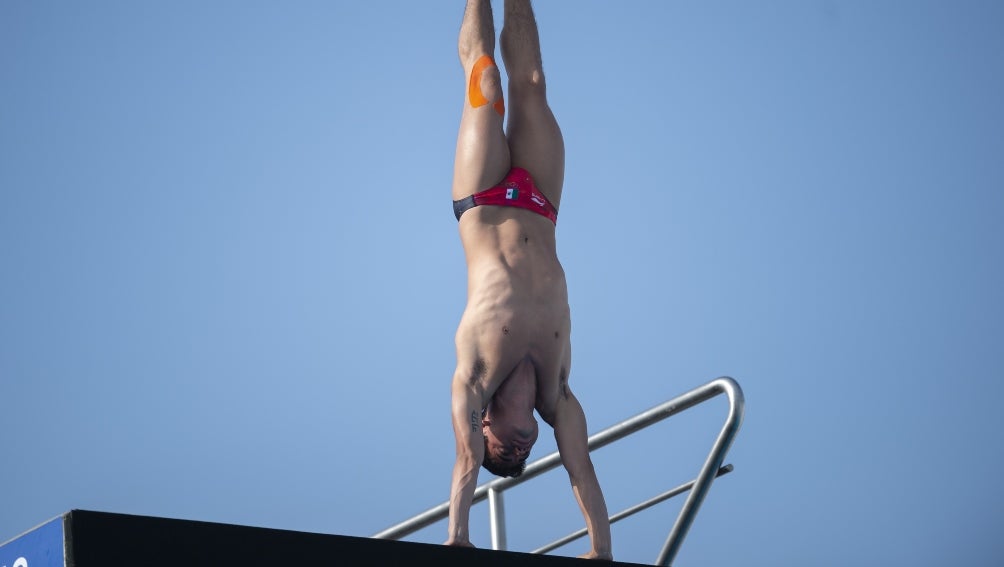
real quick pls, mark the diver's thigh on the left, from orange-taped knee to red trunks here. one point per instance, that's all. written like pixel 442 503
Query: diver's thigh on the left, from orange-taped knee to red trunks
pixel 482 158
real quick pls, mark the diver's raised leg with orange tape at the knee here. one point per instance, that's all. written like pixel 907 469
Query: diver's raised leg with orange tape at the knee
pixel 482 158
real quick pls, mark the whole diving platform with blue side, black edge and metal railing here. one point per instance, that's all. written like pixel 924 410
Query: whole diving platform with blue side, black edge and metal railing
pixel 83 538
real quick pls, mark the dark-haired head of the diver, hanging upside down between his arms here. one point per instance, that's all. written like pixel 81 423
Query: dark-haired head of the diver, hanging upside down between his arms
pixel 509 441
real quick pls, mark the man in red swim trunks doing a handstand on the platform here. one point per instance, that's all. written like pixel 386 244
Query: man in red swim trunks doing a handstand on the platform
pixel 514 352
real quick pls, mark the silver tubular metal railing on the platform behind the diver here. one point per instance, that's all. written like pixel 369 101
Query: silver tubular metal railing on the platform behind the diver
pixel 698 488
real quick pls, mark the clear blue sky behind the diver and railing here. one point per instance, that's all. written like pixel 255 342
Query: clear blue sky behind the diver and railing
pixel 231 274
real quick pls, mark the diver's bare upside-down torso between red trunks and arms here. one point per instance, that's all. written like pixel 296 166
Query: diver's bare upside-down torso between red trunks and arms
pixel 518 308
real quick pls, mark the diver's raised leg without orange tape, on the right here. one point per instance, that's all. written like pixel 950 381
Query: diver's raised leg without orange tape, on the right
pixel 535 138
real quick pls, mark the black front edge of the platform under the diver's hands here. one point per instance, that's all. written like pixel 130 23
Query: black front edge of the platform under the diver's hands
pixel 103 539
